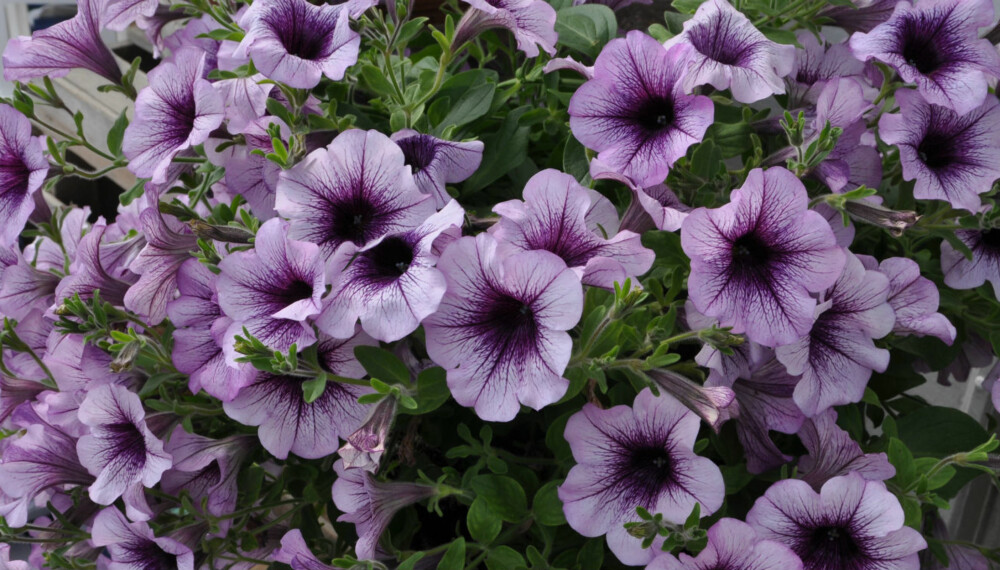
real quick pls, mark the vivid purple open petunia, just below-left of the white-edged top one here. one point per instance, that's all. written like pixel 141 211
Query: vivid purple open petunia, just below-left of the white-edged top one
pixel 634 113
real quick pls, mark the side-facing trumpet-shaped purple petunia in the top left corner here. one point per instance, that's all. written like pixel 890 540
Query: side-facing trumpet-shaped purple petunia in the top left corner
pixel 55 51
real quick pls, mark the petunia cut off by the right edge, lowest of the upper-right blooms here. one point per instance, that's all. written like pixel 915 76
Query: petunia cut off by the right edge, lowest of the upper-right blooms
pixel 960 273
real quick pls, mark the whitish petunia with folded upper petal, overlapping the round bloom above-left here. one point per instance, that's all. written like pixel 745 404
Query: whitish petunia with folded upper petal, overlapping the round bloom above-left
pixel 391 284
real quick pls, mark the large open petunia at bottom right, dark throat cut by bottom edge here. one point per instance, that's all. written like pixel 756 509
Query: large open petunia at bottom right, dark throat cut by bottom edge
pixel 851 524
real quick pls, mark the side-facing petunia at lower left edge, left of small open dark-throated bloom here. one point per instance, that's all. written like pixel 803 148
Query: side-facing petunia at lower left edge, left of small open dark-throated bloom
pixel 37 463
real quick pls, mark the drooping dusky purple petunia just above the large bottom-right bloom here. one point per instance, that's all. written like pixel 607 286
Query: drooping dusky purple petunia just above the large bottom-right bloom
pixel 832 453
